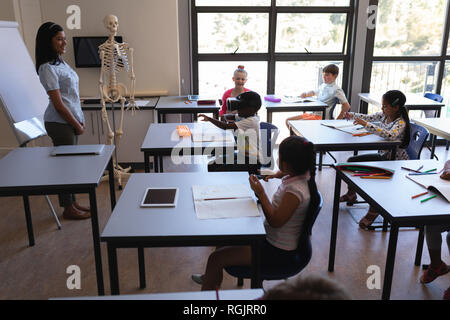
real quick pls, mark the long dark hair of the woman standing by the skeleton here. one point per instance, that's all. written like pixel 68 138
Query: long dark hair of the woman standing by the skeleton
pixel 44 51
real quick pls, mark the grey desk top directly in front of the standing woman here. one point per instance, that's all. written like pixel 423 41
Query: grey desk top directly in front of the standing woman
pixel 35 168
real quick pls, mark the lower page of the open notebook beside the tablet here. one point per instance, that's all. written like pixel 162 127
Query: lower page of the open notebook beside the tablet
pixel 220 209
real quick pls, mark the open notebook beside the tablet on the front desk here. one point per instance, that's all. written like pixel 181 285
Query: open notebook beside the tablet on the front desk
pixel 224 201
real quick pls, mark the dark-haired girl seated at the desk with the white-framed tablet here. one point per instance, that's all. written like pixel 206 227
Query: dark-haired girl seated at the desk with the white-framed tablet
pixel 284 215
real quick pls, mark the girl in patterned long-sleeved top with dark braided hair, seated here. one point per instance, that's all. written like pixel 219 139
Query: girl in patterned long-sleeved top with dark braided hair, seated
pixel 392 124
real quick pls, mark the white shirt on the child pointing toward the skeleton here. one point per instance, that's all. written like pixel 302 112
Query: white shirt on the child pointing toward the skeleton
pixel 249 137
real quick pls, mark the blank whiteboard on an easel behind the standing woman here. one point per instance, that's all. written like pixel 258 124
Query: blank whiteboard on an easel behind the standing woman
pixel 21 92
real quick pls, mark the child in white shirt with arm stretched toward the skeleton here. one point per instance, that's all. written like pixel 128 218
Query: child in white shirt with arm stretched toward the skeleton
pixel 248 134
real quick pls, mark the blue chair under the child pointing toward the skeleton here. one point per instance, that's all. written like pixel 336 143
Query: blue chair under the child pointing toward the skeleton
pixel 269 135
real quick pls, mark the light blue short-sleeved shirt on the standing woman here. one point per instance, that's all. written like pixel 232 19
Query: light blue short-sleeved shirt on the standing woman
pixel 63 78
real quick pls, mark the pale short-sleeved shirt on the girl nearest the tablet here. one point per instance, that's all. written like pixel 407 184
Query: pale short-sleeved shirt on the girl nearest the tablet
pixel 286 236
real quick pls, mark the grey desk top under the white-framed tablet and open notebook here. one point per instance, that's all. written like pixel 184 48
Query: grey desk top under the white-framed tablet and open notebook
pixel 131 222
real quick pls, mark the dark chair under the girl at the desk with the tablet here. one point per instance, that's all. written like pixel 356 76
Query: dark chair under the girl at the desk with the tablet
pixel 303 256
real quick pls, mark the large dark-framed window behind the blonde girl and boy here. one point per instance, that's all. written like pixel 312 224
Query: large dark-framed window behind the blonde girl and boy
pixel 283 44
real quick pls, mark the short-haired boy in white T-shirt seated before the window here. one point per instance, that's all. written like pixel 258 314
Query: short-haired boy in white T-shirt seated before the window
pixel 327 93
